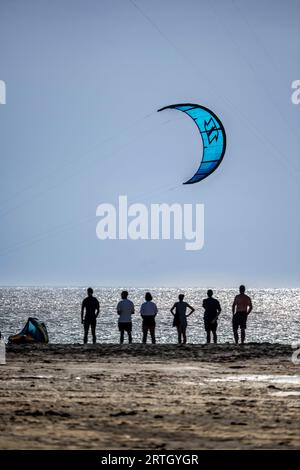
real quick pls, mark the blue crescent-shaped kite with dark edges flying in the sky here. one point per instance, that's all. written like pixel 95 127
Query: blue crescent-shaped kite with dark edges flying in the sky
pixel 213 137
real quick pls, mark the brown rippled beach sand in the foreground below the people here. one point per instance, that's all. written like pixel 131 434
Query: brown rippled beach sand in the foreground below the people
pixel 150 397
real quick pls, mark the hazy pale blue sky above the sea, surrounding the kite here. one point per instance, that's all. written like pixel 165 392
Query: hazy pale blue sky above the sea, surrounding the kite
pixel 84 79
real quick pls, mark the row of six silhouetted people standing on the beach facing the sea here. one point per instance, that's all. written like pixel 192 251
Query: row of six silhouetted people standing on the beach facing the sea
pixel 241 307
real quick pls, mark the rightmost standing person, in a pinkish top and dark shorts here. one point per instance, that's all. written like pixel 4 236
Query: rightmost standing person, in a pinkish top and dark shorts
pixel 241 308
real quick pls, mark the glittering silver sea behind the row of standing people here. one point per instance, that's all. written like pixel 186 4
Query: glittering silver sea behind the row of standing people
pixel 275 317
